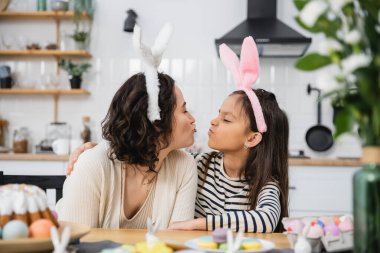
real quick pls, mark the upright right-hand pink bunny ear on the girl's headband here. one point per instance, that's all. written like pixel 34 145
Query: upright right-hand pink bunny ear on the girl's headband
pixel 249 62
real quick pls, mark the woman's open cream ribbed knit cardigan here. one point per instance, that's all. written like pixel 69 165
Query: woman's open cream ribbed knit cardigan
pixel 92 194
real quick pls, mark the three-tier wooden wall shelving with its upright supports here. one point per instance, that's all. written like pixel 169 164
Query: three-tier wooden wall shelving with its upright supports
pixel 57 16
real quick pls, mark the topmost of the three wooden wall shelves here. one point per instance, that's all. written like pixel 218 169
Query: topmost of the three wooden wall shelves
pixel 39 14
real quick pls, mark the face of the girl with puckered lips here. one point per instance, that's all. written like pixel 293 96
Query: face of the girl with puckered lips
pixel 229 130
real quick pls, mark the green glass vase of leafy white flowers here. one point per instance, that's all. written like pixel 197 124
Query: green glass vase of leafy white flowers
pixel 350 45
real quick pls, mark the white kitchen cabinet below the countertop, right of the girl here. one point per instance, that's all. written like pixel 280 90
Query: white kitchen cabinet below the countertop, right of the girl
pixel 320 190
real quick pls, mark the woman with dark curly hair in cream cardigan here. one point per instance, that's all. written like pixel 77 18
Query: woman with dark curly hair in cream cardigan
pixel 138 171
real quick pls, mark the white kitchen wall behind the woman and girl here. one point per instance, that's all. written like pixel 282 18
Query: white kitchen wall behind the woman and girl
pixel 191 59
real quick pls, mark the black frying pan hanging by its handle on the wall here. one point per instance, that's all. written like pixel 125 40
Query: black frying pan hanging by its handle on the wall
pixel 318 137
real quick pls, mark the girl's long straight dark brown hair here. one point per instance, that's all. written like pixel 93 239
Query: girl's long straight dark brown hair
pixel 268 161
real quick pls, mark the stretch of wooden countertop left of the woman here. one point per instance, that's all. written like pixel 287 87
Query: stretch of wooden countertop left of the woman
pixel 33 157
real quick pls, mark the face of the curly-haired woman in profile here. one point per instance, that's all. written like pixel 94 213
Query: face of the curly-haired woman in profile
pixel 183 125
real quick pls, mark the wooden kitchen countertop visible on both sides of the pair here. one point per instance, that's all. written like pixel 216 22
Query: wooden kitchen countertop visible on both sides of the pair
pixel 292 161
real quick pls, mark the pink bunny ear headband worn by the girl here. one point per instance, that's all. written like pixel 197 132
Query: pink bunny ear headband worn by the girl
pixel 245 74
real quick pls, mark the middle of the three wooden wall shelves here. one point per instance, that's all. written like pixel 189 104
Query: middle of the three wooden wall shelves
pixel 59 53
